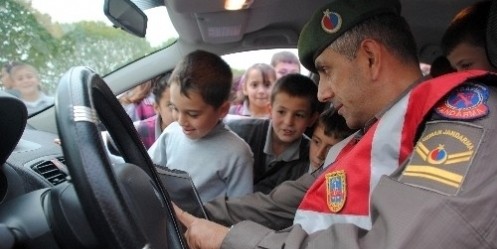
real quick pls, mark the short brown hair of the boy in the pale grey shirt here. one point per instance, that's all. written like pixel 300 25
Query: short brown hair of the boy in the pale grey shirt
pixel 205 73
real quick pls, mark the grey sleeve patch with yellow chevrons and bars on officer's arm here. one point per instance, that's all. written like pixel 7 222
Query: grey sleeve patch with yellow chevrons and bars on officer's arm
pixel 442 156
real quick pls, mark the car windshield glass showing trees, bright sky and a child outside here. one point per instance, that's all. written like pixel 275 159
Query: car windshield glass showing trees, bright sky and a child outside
pixel 41 40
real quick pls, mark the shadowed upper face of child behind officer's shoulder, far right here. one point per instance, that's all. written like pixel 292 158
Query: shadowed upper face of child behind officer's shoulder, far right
pixel 466 56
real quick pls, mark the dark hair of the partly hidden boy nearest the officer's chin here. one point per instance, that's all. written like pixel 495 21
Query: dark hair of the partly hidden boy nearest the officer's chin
pixel 334 124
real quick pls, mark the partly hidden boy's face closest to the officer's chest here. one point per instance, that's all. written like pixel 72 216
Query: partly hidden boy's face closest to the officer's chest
pixel 320 145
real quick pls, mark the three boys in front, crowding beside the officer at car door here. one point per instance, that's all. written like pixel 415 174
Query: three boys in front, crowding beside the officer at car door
pixel 234 157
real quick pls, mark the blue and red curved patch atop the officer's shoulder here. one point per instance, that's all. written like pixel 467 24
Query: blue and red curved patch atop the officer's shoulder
pixel 466 102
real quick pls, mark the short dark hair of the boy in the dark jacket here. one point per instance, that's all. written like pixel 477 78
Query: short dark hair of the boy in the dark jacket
pixel 298 85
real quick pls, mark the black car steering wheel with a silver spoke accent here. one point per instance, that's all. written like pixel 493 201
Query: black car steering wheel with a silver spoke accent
pixel 126 205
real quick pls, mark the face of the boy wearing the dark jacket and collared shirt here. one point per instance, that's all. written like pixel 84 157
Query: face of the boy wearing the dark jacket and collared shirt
pixel 290 117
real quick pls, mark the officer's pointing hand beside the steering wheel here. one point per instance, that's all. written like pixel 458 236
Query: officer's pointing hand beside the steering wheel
pixel 201 233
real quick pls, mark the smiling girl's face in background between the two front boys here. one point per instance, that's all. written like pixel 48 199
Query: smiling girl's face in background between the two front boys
pixel 258 91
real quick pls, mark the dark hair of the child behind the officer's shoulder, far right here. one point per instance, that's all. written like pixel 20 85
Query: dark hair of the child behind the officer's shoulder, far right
pixel 469 25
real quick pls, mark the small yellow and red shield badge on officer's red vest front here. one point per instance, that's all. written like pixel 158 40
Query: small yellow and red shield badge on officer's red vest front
pixel 336 190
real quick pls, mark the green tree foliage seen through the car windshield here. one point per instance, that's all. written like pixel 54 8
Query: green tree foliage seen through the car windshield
pixel 53 48
